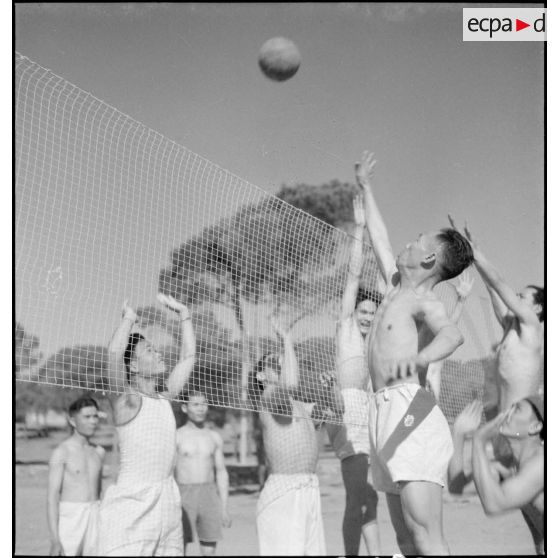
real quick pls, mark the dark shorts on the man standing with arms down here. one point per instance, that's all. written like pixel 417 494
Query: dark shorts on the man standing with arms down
pixel 201 510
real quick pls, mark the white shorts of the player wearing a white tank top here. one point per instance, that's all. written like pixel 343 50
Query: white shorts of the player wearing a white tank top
pixel 143 520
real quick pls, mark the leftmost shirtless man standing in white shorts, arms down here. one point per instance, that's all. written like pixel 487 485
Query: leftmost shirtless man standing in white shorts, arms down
pixel 74 485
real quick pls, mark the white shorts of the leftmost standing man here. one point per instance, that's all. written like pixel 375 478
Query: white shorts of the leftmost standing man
pixel 78 527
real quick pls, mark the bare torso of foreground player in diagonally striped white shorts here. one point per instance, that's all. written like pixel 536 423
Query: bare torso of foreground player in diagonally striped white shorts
pixel 397 333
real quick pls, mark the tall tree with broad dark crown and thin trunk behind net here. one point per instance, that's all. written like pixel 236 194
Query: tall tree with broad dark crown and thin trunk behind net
pixel 267 251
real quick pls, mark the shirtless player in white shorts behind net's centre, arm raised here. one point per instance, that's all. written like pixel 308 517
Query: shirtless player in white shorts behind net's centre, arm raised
pixel 289 515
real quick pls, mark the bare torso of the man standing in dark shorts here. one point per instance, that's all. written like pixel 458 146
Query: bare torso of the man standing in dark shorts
pixel 195 462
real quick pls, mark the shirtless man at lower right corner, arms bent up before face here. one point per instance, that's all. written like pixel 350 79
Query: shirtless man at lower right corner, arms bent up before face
pixel 523 426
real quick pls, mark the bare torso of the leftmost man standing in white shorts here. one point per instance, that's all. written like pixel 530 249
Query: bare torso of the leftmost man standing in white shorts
pixel 82 471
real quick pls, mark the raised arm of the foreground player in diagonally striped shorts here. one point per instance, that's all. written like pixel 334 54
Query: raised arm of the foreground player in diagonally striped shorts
pixel 374 222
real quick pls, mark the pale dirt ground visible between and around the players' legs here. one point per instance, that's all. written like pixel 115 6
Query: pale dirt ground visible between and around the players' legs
pixel 467 529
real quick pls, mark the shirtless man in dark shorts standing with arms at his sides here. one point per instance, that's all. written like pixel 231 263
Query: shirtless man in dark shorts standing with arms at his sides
pixel 201 476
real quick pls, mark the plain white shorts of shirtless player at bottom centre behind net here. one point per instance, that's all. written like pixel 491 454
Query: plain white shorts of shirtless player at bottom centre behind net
pixel 289 517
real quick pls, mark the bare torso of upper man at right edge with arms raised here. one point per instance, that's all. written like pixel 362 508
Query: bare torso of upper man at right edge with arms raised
pixel 519 360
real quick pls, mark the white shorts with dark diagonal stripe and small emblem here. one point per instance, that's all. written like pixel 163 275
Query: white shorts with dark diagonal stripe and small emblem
pixel 409 436
